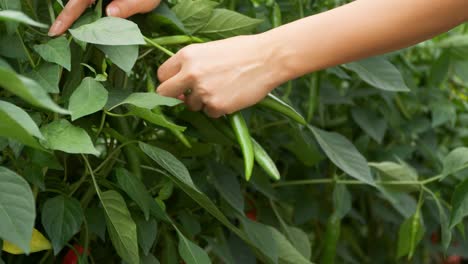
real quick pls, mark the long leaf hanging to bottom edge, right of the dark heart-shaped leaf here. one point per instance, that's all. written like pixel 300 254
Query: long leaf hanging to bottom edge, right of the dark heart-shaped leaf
pixel 122 228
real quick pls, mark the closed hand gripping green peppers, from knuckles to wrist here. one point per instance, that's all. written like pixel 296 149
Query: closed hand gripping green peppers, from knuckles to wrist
pixel 223 76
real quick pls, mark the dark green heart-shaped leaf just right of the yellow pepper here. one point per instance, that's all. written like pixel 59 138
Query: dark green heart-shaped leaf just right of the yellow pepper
pixel 62 218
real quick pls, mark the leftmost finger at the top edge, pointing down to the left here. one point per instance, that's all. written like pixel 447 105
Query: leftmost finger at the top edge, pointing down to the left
pixel 70 13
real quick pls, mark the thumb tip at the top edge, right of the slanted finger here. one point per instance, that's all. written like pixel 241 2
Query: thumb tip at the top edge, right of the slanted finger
pixel 126 8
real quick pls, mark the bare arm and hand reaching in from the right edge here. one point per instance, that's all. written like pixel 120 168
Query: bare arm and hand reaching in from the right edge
pixel 252 66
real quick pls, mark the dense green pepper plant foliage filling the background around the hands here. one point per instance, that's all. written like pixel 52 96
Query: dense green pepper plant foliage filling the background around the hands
pixel 96 167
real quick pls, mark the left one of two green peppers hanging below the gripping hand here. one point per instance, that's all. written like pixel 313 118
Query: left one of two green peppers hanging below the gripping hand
pixel 245 142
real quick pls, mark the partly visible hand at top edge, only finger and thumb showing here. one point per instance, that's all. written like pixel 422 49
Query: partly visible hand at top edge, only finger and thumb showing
pixel 118 8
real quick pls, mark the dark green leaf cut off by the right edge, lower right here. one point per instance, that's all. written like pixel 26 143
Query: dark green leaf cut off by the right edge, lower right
pixel 459 203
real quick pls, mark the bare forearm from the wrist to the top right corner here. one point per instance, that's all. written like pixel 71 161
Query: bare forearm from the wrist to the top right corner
pixel 358 30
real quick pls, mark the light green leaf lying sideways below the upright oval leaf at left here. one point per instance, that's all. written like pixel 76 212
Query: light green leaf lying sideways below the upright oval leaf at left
pixel 63 136
